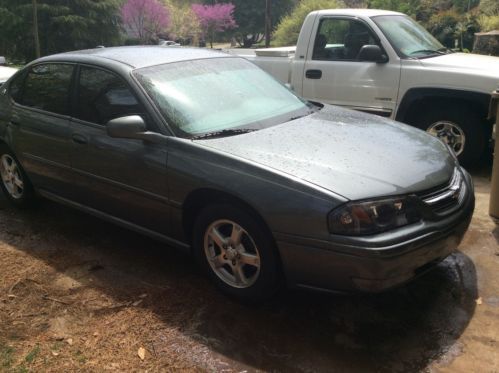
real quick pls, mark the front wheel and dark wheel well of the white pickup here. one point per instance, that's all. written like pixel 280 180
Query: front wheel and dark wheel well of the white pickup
pixel 460 127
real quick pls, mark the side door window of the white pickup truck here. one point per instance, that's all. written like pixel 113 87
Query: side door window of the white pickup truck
pixel 340 39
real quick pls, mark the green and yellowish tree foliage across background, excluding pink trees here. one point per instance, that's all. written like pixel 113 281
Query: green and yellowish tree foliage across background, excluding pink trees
pixel 77 24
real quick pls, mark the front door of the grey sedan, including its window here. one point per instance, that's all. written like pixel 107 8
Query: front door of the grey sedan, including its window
pixel 123 178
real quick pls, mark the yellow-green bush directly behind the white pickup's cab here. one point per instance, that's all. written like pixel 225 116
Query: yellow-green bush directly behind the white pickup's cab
pixel 288 29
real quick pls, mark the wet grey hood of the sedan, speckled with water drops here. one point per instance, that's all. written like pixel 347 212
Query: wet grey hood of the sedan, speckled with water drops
pixel 349 153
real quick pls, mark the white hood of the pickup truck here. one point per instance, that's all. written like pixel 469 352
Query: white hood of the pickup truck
pixel 467 62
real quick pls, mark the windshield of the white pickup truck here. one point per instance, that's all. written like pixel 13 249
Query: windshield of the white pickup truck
pixel 409 38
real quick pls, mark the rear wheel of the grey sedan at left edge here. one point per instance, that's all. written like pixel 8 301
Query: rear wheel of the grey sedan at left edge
pixel 15 184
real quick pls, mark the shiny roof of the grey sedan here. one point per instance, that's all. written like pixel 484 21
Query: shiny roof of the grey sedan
pixel 136 56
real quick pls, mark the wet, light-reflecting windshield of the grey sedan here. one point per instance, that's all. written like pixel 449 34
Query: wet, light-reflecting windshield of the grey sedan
pixel 219 96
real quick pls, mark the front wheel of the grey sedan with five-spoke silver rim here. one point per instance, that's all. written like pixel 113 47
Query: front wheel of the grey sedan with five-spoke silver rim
pixel 237 253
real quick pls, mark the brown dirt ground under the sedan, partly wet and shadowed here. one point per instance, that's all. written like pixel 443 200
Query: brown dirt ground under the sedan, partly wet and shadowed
pixel 79 294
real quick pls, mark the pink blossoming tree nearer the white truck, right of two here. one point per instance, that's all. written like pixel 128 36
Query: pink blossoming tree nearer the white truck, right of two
pixel 215 18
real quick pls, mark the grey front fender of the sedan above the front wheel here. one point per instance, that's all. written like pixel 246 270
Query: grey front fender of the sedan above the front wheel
pixel 276 197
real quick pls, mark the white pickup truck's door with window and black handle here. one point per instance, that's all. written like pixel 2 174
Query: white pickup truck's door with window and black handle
pixel 335 75
